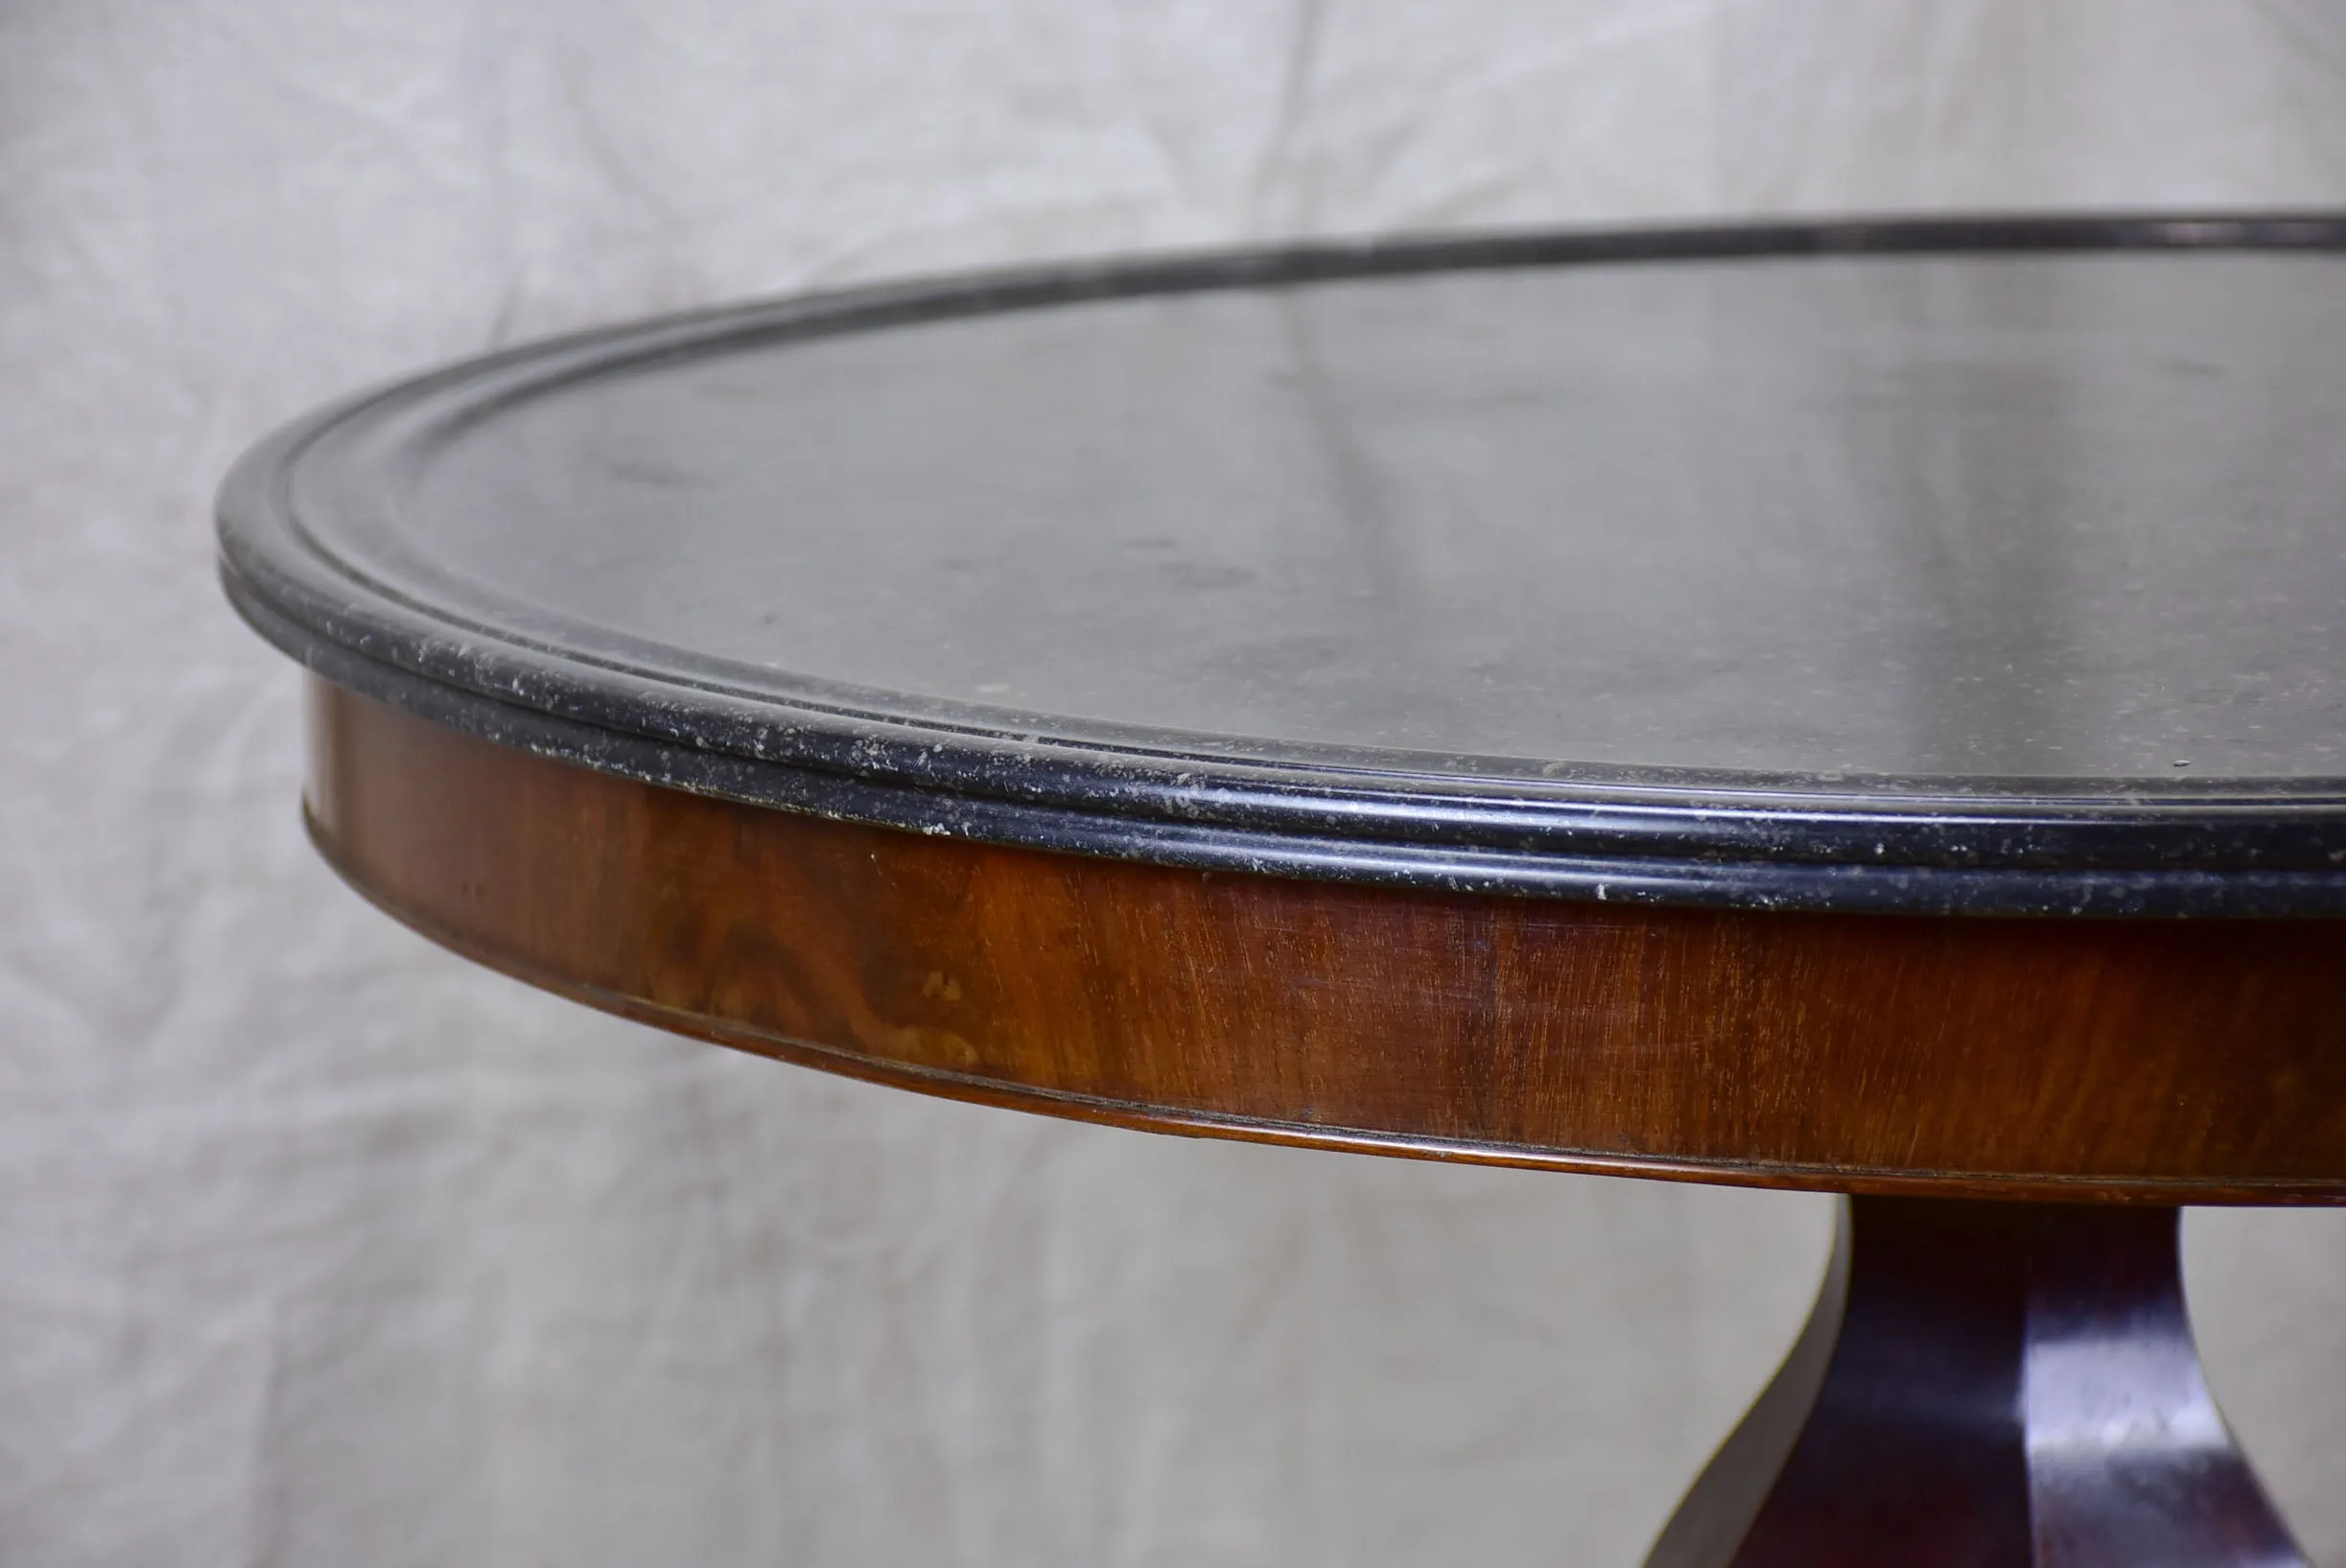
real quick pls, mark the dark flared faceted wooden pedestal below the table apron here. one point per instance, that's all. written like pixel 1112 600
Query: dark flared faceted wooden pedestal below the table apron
pixel 1986 1386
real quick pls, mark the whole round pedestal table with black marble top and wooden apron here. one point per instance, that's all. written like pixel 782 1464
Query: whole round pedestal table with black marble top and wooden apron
pixel 1847 708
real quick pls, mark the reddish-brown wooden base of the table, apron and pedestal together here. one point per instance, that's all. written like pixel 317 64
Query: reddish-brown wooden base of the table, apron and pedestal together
pixel 1984 1384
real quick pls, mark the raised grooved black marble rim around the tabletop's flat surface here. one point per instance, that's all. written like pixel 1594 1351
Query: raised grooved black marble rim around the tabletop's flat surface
pixel 1496 825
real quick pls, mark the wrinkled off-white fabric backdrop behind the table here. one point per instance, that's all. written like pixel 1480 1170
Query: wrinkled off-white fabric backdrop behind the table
pixel 323 1248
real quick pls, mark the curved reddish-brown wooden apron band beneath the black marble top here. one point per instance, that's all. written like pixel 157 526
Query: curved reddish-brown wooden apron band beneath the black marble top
pixel 2077 1060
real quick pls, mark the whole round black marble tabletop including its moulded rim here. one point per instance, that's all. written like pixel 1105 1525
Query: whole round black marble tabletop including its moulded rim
pixel 1904 567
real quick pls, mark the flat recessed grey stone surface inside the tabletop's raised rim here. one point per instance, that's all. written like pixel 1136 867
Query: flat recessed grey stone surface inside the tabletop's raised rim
pixel 2026 515
